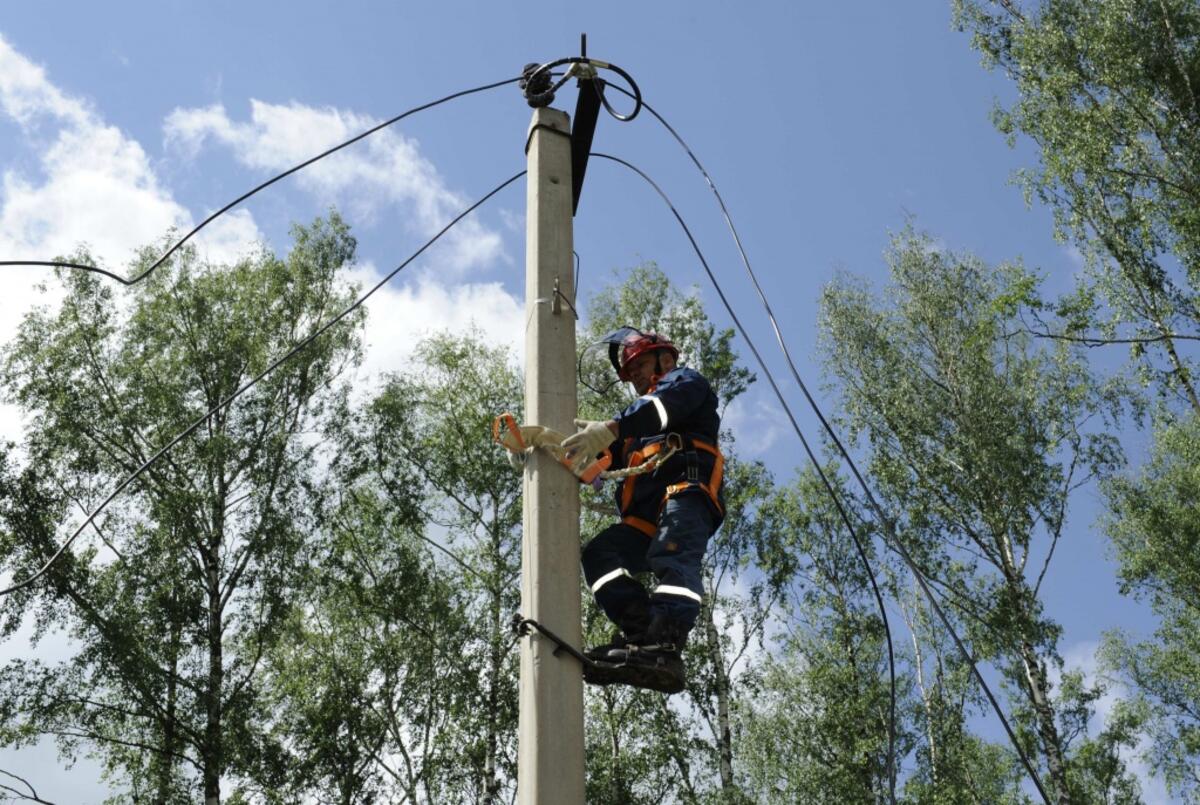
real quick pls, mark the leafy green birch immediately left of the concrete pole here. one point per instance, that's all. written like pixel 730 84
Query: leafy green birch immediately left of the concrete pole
pixel 407 636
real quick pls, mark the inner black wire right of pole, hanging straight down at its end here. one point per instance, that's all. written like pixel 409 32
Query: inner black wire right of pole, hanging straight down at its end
pixel 808 449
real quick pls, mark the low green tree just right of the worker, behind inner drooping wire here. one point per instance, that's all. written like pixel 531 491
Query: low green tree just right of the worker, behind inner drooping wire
pixel 818 725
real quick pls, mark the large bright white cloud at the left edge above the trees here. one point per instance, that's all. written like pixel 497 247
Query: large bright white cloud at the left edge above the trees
pixel 91 187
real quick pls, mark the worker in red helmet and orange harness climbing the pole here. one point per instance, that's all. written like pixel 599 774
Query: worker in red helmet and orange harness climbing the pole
pixel 668 515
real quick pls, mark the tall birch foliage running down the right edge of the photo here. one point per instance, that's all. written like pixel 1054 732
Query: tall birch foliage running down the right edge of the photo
pixel 1108 91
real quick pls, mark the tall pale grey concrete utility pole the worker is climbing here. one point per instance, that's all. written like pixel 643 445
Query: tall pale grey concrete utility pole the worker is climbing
pixel 550 756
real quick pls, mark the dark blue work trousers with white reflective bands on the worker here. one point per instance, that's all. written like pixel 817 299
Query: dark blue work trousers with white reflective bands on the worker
pixel 675 554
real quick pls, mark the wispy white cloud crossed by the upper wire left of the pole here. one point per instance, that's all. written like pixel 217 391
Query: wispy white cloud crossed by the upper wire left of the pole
pixel 386 170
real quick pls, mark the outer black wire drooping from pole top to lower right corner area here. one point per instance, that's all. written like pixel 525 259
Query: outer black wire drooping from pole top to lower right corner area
pixel 892 539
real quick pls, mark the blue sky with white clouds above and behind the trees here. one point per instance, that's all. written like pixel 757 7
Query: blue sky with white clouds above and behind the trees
pixel 826 127
